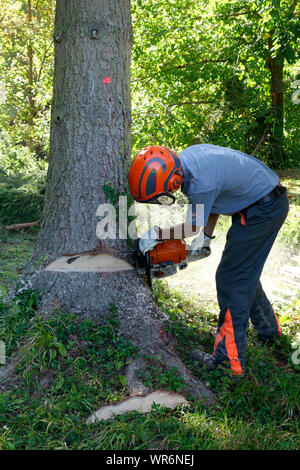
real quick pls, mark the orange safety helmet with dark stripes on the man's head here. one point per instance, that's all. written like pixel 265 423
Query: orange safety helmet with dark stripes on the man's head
pixel 155 172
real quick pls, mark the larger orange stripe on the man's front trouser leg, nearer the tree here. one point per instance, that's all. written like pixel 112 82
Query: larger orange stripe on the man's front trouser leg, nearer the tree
pixel 227 331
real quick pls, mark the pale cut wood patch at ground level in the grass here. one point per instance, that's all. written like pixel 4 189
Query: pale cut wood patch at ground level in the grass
pixel 143 404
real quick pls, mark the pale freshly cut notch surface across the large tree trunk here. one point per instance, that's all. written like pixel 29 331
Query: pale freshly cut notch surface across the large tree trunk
pixel 89 263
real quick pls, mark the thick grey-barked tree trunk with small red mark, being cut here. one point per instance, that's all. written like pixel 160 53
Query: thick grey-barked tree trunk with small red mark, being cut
pixel 90 147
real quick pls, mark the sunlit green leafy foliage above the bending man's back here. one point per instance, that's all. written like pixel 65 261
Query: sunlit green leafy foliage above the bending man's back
pixel 199 74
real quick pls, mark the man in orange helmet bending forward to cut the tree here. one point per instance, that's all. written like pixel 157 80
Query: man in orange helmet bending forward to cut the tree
pixel 227 182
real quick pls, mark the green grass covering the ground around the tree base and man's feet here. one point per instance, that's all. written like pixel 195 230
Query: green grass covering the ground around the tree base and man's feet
pixel 67 366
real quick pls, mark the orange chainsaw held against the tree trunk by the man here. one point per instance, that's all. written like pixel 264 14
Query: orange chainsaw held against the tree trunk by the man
pixel 165 259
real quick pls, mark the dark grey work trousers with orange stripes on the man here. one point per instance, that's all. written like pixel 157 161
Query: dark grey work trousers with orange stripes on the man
pixel 240 294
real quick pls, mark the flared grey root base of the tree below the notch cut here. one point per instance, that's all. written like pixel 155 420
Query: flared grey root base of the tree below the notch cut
pixel 140 320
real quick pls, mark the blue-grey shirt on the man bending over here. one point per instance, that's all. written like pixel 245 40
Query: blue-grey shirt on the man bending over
pixel 223 180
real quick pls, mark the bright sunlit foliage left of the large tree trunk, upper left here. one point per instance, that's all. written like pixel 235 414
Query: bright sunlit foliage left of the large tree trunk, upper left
pixel 26 70
